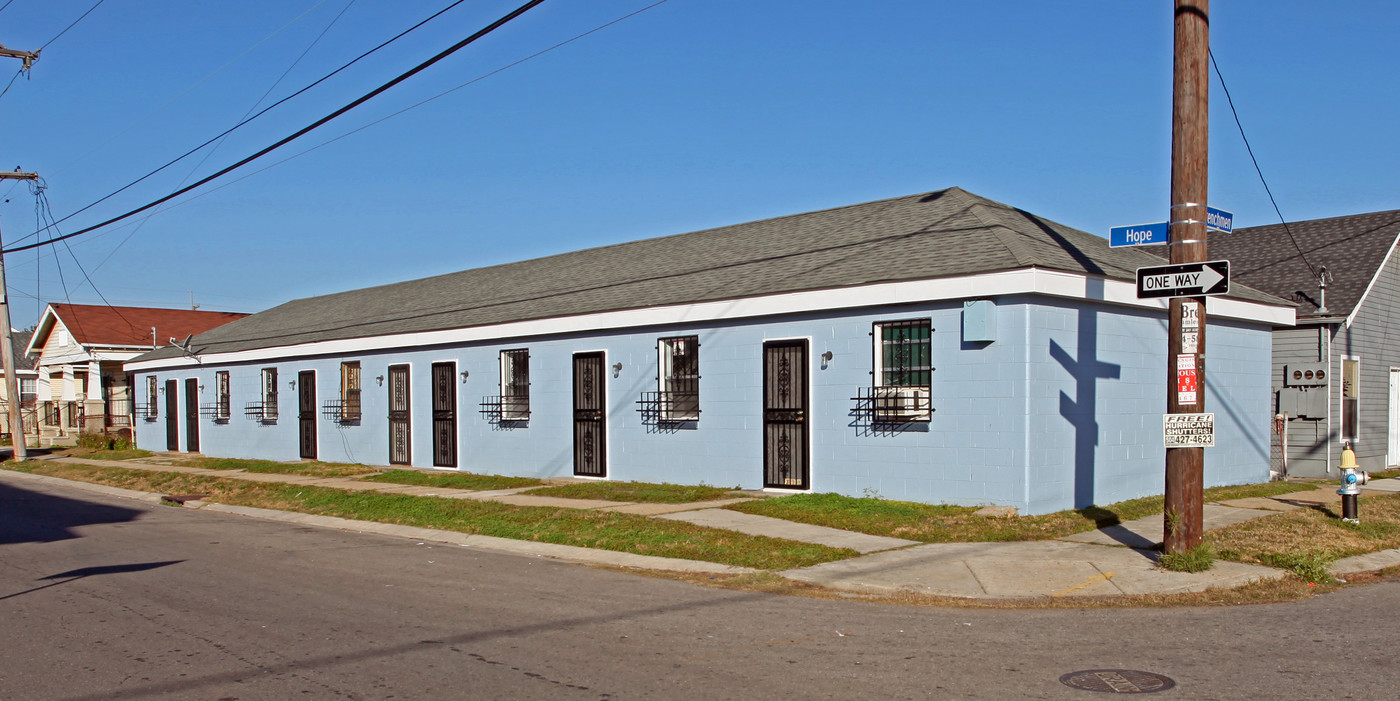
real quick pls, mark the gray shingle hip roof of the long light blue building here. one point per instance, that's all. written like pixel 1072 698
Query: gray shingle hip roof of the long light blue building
pixel 941 234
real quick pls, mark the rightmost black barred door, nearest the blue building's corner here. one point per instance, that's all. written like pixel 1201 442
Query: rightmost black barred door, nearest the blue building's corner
pixel 785 416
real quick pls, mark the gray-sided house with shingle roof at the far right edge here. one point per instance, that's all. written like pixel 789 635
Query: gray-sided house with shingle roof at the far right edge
pixel 1338 373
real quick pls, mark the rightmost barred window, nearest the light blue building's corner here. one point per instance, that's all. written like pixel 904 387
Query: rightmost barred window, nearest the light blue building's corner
pixel 904 371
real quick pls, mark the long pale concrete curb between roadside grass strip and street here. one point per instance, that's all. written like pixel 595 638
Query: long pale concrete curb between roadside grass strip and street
pixel 498 545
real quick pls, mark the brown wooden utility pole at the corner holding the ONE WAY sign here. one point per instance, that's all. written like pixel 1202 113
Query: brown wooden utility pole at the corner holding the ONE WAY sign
pixel 1186 332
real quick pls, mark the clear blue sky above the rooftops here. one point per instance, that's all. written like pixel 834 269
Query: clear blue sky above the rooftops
pixel 689 115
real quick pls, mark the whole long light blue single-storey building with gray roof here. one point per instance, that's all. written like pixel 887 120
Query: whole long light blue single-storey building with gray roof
pixel 939 348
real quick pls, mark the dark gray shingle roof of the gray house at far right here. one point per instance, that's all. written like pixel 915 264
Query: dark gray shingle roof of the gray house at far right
pixel 1353 248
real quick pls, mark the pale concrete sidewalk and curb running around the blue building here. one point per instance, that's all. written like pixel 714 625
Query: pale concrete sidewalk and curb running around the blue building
pixel 1118 560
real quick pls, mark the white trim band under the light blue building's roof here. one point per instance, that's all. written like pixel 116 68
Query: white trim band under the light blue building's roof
pixel 1052 283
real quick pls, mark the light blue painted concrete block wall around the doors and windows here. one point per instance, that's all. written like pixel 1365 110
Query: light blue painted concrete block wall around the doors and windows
pixel 1063 409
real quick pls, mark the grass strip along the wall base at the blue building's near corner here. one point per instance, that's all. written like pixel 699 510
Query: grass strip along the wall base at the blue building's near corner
pixel 943 524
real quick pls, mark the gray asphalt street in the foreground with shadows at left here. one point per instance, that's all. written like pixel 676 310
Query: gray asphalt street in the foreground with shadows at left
pixel 110 598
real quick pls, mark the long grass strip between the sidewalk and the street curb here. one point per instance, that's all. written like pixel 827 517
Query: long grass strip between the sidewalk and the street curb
pixel 603 531
